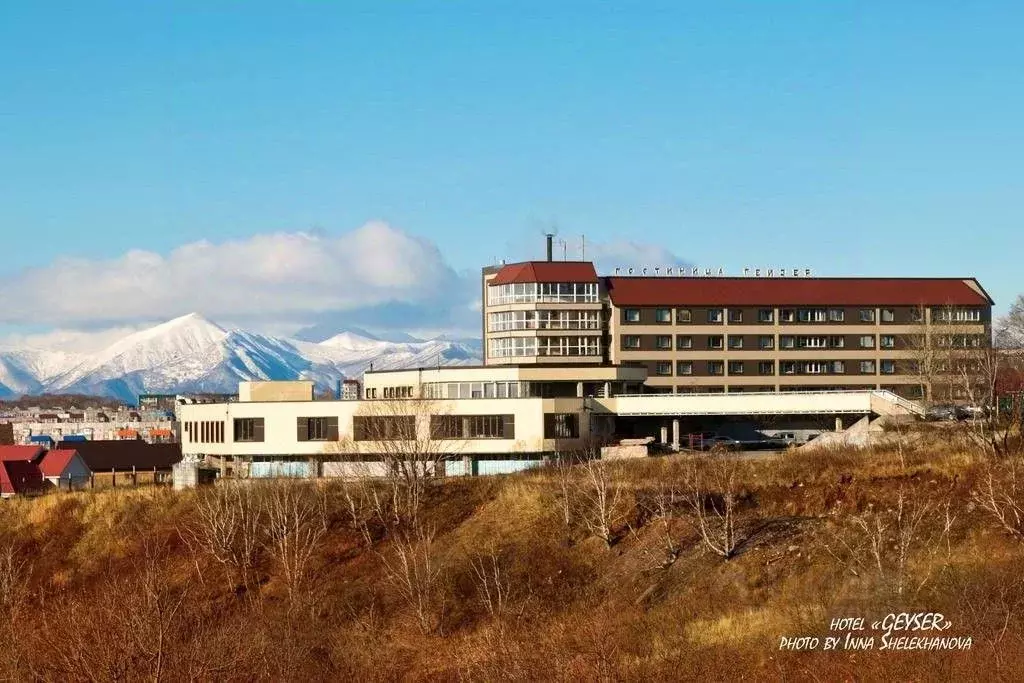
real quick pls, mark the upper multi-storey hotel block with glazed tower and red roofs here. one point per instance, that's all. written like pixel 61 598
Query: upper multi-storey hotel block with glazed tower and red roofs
pixel 713 334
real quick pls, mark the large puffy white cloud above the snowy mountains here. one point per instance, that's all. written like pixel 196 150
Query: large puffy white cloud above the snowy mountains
pixel 285 276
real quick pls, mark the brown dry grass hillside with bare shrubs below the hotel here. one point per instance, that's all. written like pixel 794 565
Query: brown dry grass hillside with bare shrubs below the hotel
pixel 671 569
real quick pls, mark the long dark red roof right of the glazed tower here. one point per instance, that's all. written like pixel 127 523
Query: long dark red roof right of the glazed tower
pixel 796 291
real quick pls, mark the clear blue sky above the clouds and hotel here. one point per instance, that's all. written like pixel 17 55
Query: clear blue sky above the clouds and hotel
pixel 856 139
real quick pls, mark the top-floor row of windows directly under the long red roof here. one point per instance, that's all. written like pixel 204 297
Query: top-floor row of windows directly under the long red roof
pixel 717 316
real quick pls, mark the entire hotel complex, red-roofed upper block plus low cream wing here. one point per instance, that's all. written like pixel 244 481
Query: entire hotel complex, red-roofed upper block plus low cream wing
pixel 573 358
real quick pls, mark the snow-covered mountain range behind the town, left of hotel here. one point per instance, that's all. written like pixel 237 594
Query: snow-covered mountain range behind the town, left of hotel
pixel 193 355
